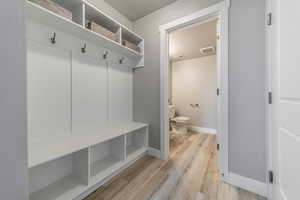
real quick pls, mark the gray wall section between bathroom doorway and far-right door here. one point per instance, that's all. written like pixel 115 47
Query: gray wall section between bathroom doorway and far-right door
pixel 246 85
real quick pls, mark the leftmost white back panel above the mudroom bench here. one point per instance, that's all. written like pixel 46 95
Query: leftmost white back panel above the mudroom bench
pixel 48 94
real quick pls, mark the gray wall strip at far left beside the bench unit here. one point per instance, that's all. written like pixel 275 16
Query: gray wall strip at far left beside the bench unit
pixel 13 173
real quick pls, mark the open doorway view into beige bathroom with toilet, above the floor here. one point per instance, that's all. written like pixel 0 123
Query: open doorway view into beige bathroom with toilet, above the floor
pixel 193 81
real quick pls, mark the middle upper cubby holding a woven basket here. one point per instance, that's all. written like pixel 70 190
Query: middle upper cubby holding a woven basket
pixel 101 24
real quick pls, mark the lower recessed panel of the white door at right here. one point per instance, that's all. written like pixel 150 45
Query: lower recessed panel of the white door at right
pixel 289 166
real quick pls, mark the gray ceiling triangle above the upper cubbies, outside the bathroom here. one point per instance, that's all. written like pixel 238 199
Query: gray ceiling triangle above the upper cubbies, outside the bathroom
pixel 135 9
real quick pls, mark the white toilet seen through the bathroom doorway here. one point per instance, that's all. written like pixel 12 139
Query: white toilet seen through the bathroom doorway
pixel 178 123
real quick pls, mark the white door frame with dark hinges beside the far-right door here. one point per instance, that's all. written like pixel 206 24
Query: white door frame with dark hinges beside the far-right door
pixel 273 63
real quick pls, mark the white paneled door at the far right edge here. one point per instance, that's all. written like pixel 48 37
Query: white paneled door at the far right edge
pixel 286 124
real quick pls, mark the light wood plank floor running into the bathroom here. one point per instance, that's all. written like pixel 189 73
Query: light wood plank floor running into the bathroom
pixel 190 174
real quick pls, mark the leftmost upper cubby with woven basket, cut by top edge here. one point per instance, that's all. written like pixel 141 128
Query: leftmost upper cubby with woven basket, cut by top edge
pixel 68 9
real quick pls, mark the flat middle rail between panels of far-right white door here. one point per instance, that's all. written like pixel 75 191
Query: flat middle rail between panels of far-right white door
pixel 289 112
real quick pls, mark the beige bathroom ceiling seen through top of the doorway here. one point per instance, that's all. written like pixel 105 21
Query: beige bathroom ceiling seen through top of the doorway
pixel 186 43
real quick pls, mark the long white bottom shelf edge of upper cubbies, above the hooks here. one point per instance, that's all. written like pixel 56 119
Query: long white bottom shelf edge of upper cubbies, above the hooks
pixel 47 17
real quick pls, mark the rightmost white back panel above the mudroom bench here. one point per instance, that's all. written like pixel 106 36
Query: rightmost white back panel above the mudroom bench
pixel 120 93
